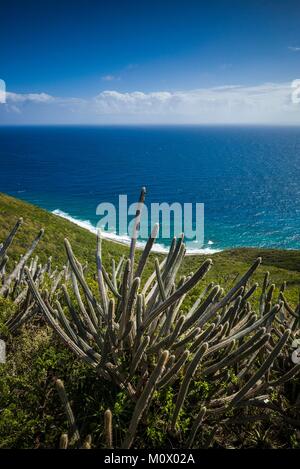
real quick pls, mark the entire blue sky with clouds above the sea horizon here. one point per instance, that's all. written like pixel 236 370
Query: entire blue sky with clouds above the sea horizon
pixel 156 62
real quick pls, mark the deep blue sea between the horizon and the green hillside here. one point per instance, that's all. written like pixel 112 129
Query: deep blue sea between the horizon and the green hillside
pixel 247 177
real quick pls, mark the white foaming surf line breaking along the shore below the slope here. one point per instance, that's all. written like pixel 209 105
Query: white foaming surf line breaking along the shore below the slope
pixel 125 239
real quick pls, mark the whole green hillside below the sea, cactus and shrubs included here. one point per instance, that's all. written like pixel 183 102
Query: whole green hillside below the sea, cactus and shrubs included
pixel 151 398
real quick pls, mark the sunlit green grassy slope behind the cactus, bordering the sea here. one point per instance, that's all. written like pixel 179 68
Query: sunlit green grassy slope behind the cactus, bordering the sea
pixel 282 265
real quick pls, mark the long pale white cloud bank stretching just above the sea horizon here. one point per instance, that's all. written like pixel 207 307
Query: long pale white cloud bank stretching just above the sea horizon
pixel 269 103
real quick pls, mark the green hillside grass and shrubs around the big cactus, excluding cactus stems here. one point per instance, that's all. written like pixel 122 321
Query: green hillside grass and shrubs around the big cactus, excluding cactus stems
pixel 31 415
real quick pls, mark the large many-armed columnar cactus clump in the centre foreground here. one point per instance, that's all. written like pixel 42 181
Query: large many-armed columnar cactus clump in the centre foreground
pixel 134 333
